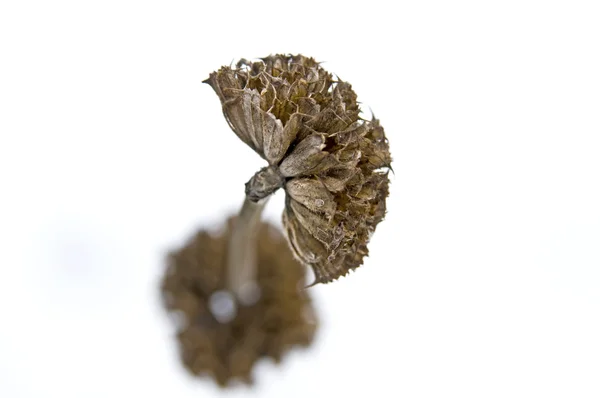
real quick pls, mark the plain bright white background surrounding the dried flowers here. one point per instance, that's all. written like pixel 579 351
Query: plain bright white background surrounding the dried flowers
pixel 483 281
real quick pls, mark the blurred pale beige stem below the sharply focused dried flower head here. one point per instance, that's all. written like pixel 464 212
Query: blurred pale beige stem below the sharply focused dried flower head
pixel 242 255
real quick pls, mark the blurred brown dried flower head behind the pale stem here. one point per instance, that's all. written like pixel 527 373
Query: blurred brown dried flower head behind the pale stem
pixel 282 317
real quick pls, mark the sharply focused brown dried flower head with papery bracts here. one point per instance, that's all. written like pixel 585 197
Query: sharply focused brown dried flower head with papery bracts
pixel 329 161
